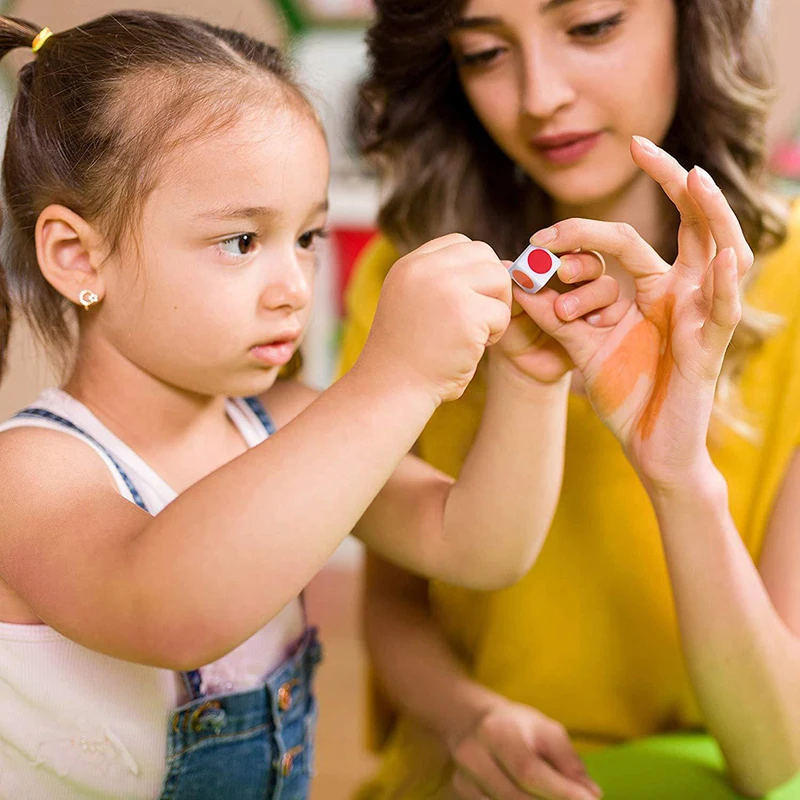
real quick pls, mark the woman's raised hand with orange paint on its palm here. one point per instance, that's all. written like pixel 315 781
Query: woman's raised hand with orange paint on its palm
pixel 651 375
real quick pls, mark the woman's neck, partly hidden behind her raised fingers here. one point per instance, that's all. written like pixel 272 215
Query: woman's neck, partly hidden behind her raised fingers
pixel 641 203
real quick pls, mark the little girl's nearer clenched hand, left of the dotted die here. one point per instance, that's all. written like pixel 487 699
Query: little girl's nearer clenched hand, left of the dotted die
pixel 439 309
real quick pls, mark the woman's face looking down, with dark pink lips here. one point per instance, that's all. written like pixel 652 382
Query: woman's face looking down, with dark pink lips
pixel 562 85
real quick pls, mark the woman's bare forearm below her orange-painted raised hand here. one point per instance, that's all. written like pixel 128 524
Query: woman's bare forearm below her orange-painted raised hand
pixel 743 661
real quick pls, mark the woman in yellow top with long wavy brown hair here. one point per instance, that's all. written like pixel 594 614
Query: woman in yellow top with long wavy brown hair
pixel 645 612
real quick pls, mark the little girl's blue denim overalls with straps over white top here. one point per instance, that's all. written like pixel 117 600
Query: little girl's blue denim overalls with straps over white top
pixel 244 745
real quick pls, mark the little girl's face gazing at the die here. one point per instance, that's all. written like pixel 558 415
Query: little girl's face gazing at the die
pixel 221 295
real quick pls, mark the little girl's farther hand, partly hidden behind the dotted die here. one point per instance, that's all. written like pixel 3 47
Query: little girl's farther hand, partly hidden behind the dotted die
pixel 537 355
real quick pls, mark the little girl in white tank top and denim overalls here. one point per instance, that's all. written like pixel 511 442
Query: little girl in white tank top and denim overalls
pixel 165 183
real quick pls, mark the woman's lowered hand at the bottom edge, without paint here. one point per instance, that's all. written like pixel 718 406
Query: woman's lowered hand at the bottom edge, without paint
pixel 514 752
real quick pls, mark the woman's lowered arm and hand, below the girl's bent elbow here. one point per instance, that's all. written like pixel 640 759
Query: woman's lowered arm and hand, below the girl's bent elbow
pixel 500 748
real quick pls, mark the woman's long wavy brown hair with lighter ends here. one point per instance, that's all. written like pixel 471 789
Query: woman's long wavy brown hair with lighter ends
pixel 445 173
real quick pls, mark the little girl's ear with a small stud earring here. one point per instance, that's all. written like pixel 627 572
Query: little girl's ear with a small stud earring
pixel 70 253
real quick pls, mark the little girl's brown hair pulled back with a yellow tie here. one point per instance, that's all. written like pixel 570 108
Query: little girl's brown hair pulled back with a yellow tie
pixel 95 110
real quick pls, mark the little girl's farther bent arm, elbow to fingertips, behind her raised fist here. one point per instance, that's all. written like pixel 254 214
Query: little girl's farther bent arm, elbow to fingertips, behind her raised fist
pixel 486 529
